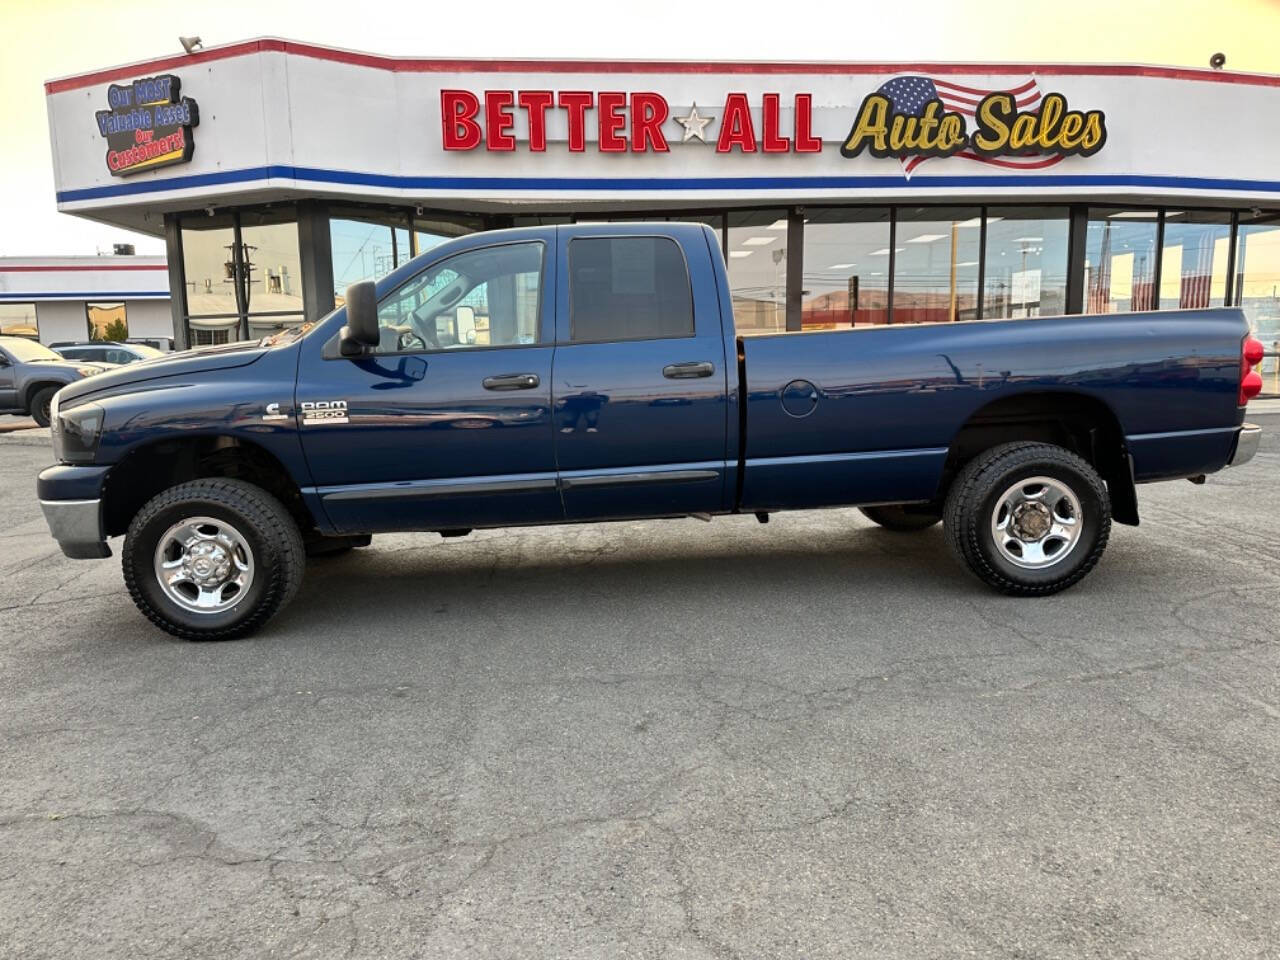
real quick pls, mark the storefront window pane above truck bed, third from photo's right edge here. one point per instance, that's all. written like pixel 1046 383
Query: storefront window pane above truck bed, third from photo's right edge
pixel 1119 262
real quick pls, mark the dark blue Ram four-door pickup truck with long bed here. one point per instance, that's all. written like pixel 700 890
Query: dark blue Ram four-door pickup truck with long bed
pixel 566 374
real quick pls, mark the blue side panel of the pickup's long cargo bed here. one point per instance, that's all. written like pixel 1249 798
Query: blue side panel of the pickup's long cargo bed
pixel 870 415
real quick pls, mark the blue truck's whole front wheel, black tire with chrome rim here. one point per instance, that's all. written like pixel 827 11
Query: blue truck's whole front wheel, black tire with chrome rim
pixel 213 560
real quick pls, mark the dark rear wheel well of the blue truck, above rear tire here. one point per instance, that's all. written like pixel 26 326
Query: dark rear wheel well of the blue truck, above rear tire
pixel 1076 420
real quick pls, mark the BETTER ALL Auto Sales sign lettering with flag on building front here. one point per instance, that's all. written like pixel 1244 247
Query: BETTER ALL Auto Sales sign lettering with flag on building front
pixel 911 120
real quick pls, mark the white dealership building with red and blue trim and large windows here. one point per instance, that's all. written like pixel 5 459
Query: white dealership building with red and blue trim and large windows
pixel 843 194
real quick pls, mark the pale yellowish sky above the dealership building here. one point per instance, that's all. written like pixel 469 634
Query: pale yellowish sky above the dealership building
pixel 61 38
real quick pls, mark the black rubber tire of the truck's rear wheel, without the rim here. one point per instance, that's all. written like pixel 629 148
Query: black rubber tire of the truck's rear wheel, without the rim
pixel 982 484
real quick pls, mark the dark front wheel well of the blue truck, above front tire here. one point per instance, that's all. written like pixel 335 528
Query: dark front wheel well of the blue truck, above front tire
pixel 152 468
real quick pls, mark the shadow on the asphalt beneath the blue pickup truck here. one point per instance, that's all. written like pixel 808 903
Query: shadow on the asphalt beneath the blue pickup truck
pixel 691 577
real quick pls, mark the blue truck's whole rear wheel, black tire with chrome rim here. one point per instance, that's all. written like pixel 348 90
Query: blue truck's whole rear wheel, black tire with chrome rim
pixel 1028 519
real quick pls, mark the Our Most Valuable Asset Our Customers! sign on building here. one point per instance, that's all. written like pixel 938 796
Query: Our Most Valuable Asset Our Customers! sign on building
pixel 148 126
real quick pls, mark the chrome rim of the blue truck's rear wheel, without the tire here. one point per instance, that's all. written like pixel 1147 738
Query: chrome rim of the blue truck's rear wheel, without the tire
pixel 1037 523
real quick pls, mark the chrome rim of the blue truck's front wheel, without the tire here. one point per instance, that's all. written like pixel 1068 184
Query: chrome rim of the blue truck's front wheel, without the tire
pixel 204 565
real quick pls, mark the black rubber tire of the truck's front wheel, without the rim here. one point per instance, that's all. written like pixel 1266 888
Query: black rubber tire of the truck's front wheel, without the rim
pixel 262 520
